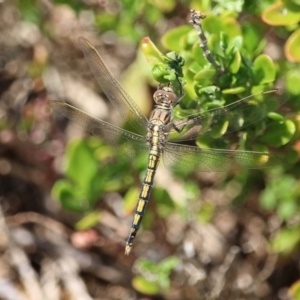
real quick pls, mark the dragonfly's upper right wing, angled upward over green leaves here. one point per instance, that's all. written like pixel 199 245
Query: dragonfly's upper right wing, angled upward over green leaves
pixel 230 118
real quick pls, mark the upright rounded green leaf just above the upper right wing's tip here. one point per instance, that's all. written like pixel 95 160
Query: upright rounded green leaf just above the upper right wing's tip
pixel 264 69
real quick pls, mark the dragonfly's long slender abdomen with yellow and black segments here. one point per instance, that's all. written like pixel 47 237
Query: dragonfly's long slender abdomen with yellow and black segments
pixel 144 196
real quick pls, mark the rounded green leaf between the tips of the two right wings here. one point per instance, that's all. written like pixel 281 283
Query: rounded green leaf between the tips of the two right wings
pixel 279 134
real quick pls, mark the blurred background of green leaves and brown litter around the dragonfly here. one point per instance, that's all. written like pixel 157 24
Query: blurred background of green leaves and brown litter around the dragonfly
pixel 67 198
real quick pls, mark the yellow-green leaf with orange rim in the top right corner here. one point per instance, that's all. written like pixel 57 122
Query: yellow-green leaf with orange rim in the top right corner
pixel 277 15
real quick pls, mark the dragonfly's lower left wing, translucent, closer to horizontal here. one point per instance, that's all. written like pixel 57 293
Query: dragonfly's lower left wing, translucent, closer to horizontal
pixel 131 144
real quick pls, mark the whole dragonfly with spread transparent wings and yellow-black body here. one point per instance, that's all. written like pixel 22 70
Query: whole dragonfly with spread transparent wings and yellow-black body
pixel 161 135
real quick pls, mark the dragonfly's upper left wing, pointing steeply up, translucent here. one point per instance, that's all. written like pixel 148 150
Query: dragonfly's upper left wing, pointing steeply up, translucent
pixel 112 88
